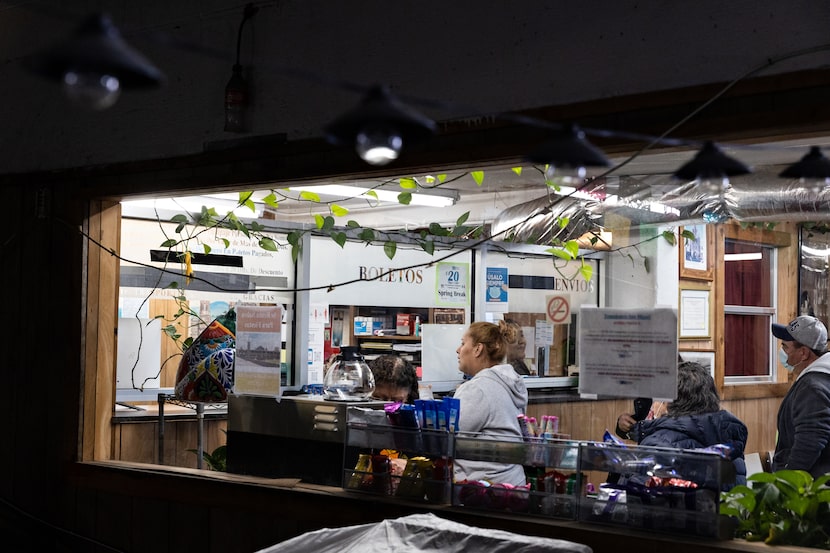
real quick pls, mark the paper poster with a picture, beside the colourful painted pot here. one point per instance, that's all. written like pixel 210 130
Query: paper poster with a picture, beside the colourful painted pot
pixel 257 359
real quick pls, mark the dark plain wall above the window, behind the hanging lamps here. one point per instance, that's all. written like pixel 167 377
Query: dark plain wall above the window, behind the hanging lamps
pixel 486 56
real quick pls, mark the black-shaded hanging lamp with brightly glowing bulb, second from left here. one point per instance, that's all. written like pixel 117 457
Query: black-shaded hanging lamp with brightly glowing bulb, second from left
pixel 380 127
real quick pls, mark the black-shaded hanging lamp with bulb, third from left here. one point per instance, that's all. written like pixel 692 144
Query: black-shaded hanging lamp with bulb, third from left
pixel 567 154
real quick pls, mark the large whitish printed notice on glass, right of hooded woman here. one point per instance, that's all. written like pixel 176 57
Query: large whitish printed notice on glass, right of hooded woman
pixel 628 353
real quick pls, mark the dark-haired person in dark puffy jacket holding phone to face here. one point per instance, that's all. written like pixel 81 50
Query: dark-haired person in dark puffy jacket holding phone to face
pixel 693 420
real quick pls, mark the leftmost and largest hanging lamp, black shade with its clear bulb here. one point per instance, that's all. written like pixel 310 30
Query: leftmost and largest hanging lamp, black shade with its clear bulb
pixel 95 64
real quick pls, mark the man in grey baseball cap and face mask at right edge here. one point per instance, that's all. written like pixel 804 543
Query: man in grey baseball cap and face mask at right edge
pixel 804 415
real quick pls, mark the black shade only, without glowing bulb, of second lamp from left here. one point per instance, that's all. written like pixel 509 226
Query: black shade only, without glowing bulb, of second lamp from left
pixel 380 108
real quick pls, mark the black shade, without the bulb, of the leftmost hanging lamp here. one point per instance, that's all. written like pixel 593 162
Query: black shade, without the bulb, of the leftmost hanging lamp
pixel 97 47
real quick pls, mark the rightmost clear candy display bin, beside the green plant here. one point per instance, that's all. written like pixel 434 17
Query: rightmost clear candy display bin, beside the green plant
pixel 657 489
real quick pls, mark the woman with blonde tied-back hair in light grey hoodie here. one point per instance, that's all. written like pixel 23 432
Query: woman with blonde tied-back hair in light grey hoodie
pixel 491 400
